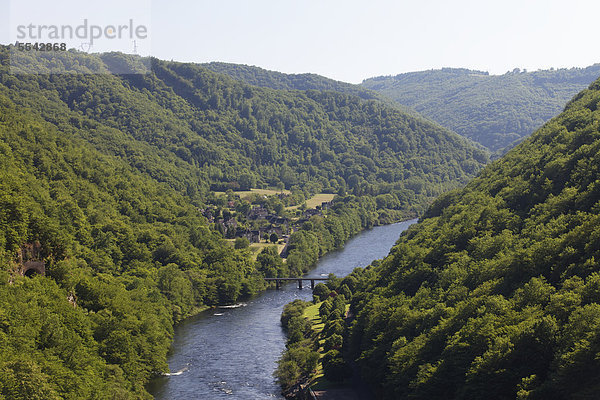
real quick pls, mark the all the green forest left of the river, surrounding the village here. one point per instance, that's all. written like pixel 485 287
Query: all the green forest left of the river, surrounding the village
pixel 107 176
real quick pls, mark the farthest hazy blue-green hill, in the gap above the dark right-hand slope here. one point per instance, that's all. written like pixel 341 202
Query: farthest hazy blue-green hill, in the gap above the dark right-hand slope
pixel 494 110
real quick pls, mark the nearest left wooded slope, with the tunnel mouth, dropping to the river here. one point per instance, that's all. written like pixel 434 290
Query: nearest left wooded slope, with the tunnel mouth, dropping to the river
pixel 125 258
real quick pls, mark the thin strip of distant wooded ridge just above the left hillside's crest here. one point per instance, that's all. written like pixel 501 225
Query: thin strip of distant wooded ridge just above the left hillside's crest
pixel 278 80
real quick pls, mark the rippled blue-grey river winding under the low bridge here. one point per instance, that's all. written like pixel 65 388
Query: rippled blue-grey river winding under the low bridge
pixel 231 353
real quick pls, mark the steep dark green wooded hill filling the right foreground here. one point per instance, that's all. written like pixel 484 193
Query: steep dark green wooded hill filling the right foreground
pixel 496 291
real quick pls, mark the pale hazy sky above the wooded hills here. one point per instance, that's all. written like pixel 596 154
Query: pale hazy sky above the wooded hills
pixel 352 40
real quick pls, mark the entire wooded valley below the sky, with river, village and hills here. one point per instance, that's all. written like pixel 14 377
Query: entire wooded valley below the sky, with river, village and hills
pixel 147 220
